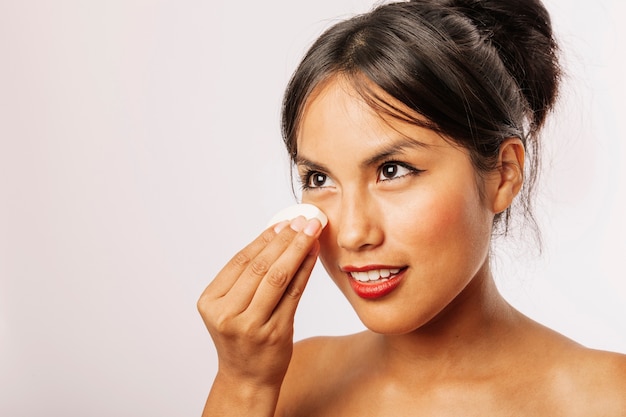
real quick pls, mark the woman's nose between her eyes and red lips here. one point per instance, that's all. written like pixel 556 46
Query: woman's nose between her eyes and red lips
pixel 359 226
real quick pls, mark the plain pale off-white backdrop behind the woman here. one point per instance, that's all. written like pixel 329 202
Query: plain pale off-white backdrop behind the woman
pixel 140 148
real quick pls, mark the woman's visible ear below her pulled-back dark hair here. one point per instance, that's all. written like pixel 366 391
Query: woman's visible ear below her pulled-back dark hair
pixel 508 176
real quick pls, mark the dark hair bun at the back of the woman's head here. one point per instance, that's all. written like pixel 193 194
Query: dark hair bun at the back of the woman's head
pixel 521 32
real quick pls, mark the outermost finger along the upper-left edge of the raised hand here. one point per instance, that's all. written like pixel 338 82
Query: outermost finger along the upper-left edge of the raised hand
pixel 224 280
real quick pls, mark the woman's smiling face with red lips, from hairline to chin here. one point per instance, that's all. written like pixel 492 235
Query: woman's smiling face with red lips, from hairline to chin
pixel 408 229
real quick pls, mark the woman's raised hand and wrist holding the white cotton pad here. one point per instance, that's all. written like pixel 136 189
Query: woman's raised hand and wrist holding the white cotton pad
pixel 249 311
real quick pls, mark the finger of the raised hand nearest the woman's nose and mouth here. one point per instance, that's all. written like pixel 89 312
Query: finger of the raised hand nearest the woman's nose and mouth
pixel 272 288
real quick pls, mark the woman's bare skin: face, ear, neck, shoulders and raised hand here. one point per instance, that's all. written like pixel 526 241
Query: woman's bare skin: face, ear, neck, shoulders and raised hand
pixel 444 342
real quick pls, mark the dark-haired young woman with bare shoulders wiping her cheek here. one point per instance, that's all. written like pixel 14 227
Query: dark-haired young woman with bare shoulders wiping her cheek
pixel 415 129
